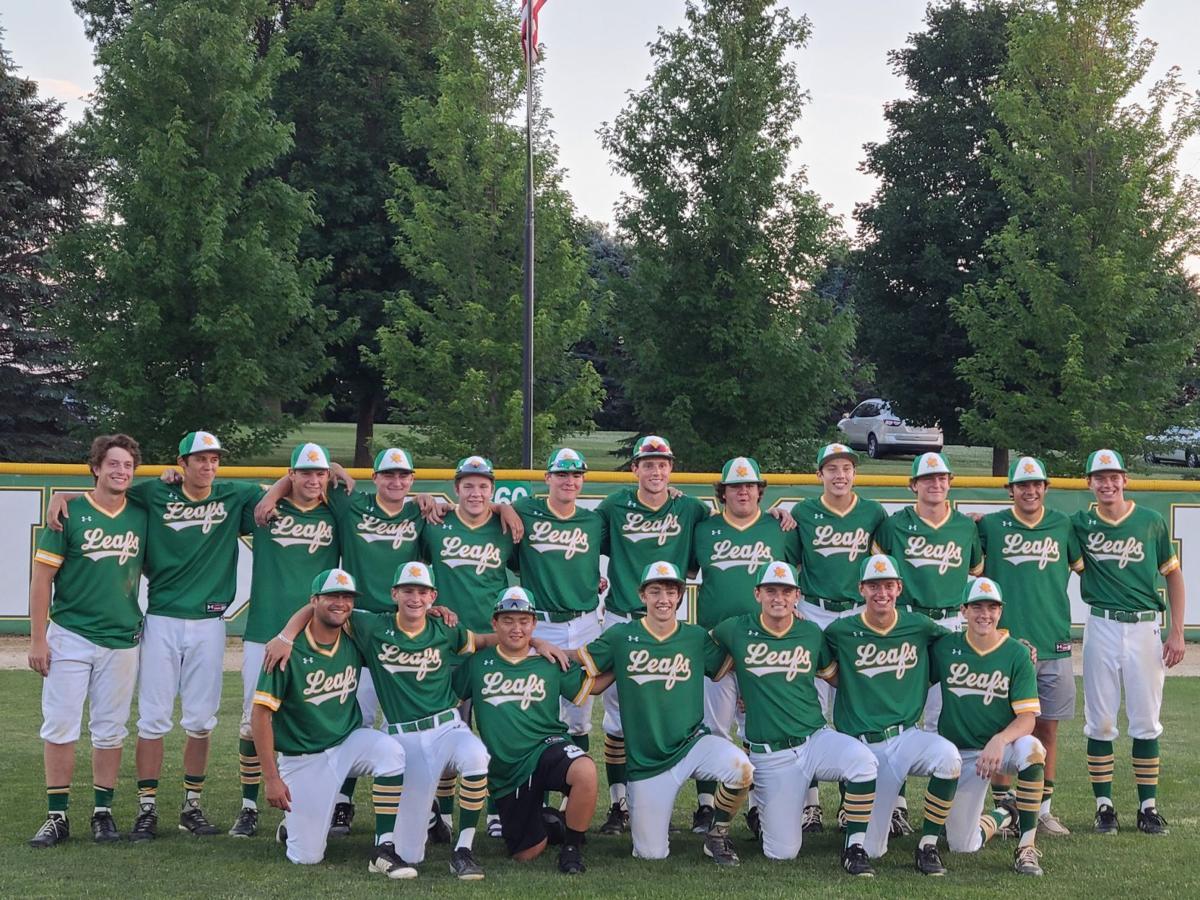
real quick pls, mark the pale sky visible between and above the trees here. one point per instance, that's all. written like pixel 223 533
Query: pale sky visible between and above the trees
pixel 597 53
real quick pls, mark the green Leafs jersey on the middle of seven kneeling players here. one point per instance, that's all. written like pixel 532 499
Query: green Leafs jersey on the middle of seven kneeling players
pixel 661 683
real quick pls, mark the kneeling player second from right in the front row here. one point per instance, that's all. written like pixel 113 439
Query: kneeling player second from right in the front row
pixel 880 665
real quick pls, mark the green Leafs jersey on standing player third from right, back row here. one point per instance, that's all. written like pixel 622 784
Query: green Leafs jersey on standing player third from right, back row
pixel 935 560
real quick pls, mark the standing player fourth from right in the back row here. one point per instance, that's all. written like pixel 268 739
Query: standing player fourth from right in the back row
pixel 836 533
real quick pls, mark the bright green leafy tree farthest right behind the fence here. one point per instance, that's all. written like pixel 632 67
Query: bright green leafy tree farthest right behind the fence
pixel 1084 334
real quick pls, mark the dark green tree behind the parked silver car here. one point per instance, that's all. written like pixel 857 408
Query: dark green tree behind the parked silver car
pixel 923 232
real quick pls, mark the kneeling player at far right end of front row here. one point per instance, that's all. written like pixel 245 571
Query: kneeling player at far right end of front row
pixel 989 707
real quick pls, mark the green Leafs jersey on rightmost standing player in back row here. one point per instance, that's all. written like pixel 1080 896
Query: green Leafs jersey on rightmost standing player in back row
pixel 1124 560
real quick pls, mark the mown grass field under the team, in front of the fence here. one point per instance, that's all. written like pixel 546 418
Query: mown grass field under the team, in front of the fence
pixel 1129 866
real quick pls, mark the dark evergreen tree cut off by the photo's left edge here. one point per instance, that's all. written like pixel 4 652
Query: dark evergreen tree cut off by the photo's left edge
pixel 43 193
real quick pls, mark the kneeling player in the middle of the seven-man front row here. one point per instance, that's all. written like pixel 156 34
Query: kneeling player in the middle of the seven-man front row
pixel 658 663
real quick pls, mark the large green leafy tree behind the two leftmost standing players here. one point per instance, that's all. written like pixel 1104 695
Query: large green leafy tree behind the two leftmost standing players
pixel 187 303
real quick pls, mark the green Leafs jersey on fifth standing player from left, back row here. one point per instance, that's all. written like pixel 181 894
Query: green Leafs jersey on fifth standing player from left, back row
pixel 470 567
